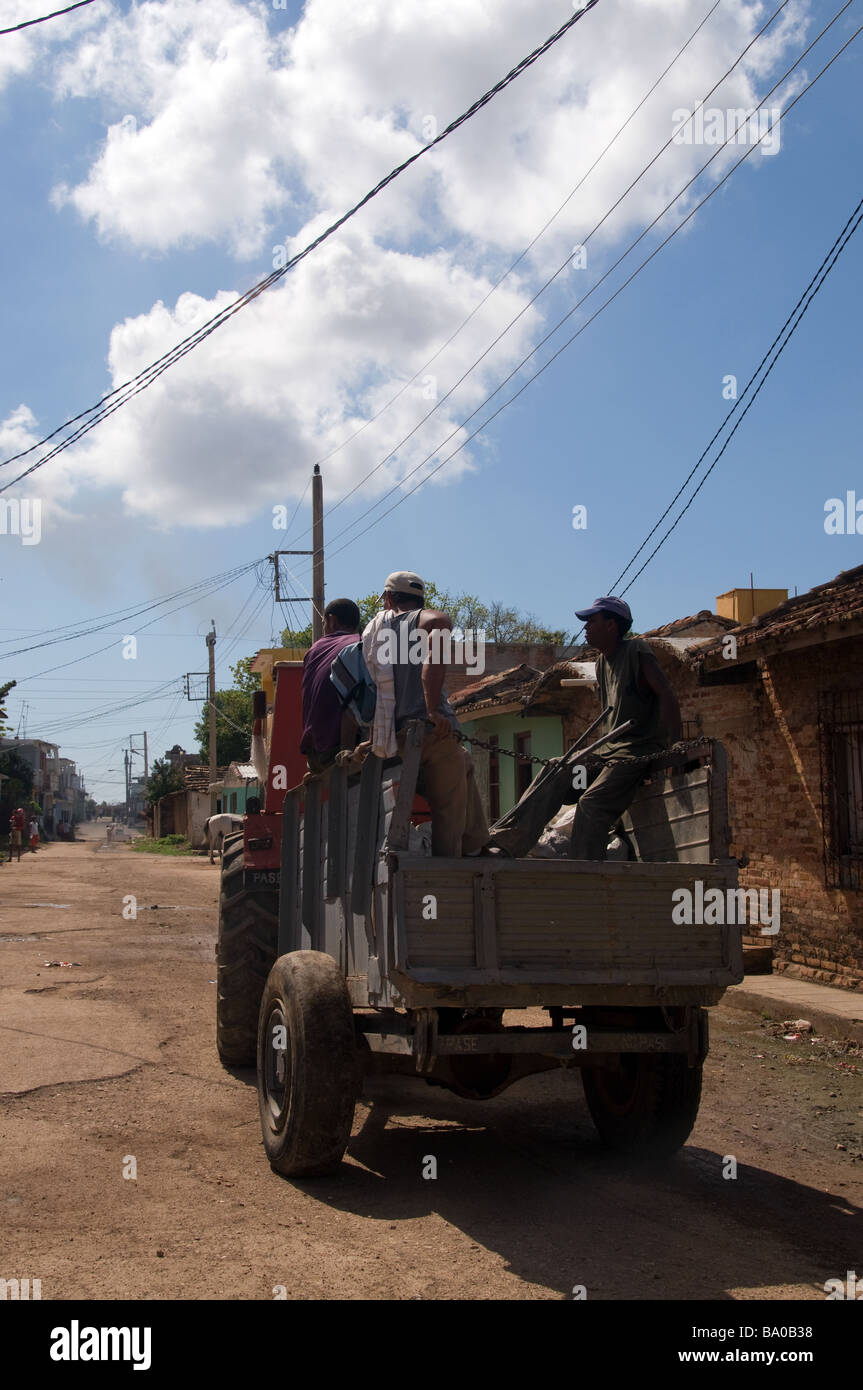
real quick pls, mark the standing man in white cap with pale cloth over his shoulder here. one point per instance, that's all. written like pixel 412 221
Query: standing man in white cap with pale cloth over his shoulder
pixel 447 771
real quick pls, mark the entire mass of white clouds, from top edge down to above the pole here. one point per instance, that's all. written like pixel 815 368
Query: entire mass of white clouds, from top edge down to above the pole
pixel 224 127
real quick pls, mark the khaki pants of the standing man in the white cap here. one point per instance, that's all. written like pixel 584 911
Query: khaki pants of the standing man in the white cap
pixel 448 783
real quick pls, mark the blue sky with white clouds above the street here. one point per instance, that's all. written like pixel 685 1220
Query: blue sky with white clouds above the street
pixel 158 161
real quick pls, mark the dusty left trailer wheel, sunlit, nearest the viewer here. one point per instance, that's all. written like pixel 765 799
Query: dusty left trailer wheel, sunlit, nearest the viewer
pixel 308 1071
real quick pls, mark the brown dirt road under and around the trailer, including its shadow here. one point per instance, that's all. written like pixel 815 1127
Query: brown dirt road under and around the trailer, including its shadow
pixel 109 1068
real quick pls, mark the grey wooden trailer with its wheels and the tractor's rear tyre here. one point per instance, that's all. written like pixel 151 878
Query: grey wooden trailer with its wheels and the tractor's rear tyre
pixel 348 951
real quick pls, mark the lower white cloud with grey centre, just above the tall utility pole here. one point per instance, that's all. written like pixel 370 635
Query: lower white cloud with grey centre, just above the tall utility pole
pixel 237 427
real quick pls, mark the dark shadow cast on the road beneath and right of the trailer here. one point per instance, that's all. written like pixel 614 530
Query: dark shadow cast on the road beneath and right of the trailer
pixel 527 1178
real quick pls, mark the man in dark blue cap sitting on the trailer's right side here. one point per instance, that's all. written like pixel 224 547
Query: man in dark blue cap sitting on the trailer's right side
pixel 633 686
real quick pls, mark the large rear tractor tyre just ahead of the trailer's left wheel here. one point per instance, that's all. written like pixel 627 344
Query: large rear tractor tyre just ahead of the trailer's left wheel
pixel 248 933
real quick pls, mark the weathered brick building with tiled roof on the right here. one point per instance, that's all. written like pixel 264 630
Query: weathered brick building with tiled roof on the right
pixel 786 697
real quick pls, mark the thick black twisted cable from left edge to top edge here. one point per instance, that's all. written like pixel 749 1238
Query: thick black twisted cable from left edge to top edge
pixel 140 383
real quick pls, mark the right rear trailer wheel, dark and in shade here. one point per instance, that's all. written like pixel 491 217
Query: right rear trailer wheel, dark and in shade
pixel 650 1107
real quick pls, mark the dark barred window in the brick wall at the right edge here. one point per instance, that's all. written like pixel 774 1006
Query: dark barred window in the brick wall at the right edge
pixel 841 730
